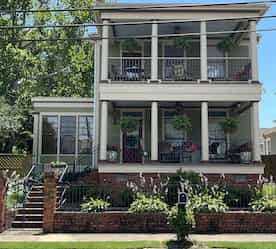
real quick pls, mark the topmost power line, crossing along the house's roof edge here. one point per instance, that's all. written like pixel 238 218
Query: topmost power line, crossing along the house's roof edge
pixel 135 7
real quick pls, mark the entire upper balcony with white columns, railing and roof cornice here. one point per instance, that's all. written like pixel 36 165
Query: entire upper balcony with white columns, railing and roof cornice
pixel 173 51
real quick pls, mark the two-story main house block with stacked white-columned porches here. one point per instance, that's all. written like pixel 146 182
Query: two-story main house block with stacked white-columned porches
pixel 157 62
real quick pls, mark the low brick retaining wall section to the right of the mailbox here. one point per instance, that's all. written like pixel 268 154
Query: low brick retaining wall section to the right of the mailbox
pixel 236 222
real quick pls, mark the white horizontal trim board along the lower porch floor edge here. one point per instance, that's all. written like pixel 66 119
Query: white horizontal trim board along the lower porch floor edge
pixel 172 168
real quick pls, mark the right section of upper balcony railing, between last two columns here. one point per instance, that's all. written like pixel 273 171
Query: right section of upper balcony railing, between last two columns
pixel 229 68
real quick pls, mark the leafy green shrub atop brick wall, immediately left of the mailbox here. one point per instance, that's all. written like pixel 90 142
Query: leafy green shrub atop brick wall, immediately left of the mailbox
pixel 145 204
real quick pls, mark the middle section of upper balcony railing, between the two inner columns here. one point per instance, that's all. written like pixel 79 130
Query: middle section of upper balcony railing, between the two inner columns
pixel 179 69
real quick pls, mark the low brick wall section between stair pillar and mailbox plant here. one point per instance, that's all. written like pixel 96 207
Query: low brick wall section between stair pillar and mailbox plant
pixel 110 222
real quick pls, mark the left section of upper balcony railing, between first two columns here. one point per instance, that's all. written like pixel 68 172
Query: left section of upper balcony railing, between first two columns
pixel 129 68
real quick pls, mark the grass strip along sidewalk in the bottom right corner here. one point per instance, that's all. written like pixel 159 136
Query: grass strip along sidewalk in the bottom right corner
pixel 243 245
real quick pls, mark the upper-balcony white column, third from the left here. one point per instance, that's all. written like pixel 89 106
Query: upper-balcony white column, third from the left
pixel 203 51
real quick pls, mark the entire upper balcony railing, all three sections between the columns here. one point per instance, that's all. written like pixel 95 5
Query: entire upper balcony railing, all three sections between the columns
pixel 179 68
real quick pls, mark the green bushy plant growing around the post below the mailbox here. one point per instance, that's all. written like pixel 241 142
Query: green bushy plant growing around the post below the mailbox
pixel 181 221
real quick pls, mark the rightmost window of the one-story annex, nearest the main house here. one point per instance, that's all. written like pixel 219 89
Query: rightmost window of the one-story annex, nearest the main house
pixel 85 134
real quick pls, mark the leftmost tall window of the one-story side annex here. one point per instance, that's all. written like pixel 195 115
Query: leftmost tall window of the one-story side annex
pixel 49 134
